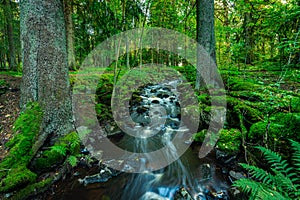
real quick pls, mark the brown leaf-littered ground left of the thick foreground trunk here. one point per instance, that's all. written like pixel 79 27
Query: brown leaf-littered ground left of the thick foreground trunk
pixel 9 110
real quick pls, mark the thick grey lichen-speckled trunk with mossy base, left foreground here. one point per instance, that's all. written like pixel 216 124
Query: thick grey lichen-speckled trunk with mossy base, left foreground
pixel 45 67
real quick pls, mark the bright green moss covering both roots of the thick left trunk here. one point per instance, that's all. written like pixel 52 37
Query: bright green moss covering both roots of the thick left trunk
pixel 18 172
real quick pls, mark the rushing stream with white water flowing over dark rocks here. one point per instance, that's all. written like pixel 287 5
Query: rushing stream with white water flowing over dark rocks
pixel 187 178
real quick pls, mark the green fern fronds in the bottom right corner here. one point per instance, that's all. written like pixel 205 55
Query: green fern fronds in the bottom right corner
pixel 282 181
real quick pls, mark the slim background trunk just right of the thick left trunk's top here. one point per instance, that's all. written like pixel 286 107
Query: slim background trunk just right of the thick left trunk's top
pixel 70 34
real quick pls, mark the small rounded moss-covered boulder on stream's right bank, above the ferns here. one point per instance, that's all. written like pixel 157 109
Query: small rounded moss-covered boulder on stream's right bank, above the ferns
pixel 229 140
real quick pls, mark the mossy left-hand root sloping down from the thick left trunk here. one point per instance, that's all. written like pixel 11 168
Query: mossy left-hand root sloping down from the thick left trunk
pixel 13 169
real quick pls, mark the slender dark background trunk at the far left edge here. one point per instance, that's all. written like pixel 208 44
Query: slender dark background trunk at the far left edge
pixel 10 34
